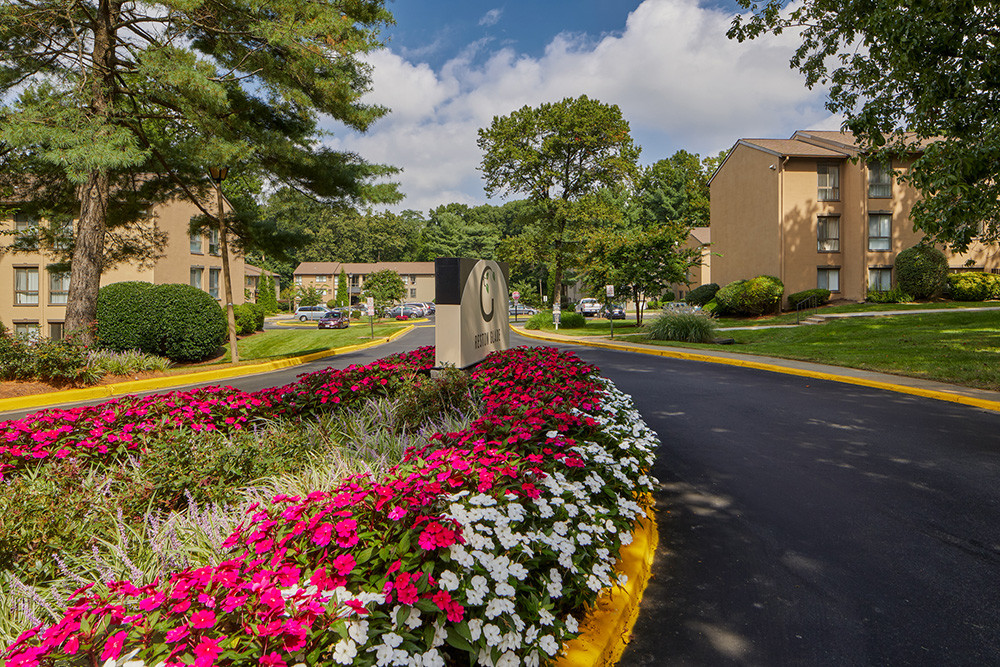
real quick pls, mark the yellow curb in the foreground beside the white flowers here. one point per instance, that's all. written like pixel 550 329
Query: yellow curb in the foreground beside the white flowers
pixel 608 628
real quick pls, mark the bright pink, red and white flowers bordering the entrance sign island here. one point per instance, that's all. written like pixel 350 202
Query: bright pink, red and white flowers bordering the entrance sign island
pixel 483 545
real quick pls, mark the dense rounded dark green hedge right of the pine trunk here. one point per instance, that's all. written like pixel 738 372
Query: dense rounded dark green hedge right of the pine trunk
pixel 176 321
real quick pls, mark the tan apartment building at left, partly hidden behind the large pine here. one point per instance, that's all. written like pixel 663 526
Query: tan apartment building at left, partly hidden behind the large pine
pixel 33 297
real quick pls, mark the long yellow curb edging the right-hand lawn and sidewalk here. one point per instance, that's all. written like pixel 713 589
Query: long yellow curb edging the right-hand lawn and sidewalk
pixel 983 403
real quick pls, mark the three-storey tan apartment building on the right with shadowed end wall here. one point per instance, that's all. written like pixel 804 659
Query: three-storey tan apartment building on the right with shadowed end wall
pixel 802 210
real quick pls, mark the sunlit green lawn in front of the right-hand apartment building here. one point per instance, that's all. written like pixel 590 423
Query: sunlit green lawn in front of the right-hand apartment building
pixel 961 348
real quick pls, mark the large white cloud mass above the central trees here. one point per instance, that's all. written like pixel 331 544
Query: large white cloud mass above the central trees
pixel 677 78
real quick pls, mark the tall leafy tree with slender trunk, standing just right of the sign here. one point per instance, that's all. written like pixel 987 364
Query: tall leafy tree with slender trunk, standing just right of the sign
pixel 556 154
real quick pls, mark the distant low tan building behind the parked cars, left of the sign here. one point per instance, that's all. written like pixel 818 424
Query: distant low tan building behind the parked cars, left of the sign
pixel 418 277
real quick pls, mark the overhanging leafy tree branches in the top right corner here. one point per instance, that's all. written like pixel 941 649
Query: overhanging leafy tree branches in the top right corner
pixel 914 80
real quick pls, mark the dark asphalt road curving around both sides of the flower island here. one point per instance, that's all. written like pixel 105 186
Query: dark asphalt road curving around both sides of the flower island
pixel 803 522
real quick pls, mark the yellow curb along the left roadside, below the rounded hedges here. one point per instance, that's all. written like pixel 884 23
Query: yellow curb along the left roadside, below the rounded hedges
pixel 121 388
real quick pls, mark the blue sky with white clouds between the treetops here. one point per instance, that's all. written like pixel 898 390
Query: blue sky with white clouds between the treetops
pixel 450 66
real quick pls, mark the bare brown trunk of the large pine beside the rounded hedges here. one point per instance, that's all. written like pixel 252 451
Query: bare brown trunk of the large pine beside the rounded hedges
pixel 88 258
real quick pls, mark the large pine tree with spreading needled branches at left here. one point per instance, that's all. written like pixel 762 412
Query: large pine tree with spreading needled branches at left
pixel 114 106
